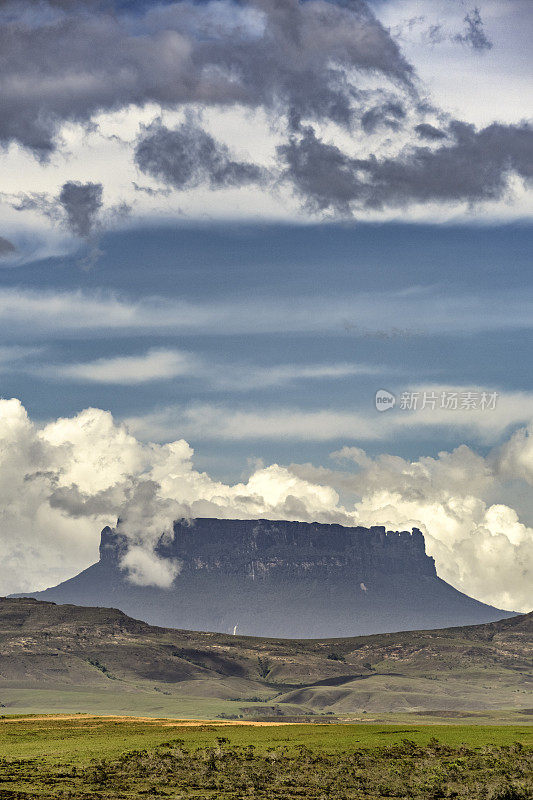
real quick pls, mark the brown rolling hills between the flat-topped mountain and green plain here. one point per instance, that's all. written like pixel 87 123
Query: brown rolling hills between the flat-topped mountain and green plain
pixel 78 650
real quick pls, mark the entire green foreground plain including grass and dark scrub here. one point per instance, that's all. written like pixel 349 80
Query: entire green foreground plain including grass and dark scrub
pixel 89 757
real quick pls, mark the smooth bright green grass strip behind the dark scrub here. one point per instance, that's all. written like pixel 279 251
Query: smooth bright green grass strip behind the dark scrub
pixel 79 739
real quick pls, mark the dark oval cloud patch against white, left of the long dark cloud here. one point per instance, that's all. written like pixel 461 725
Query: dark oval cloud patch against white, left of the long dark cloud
pixel 187 156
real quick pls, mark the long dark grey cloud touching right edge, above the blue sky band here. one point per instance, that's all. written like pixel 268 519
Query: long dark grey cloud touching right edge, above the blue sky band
pixel 473 166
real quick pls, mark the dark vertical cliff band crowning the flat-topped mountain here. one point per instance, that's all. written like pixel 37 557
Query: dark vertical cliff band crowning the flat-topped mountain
pixel 267 550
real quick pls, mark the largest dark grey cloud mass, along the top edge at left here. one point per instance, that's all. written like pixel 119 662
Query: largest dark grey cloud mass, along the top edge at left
pixel 67 61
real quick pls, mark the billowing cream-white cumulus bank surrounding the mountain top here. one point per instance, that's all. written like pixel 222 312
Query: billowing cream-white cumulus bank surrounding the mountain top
pixel 62 482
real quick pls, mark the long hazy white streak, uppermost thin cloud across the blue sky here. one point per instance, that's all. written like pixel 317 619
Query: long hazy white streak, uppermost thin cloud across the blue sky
pixel 432 311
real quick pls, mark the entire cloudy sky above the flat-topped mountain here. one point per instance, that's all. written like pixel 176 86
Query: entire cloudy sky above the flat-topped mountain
pixel 227 231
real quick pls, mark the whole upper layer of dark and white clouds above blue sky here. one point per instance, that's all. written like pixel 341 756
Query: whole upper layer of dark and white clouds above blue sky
pixel 268 109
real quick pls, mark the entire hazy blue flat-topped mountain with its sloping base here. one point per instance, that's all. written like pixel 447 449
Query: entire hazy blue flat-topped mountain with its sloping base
pixel 281 579
